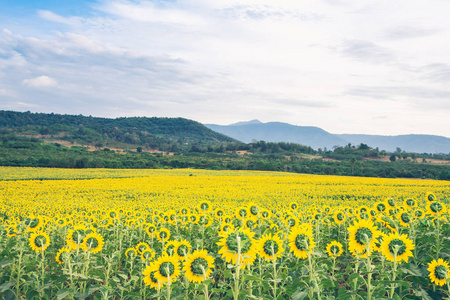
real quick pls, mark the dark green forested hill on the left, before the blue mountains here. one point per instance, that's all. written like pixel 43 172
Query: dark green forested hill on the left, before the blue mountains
pixel 152 133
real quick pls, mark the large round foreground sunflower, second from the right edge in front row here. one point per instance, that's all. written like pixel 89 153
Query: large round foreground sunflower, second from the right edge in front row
pixel 400 243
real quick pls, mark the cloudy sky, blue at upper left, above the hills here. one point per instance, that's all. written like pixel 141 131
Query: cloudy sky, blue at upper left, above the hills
pixel 347 66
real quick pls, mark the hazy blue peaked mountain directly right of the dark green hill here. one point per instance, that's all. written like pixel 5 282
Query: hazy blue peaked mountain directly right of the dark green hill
pixel 279 132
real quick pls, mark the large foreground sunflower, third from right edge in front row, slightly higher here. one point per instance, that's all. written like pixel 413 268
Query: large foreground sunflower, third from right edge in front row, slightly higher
pixel 362 234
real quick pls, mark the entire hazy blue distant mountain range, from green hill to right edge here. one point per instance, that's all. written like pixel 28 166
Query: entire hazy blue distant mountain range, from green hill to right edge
pixel 319 138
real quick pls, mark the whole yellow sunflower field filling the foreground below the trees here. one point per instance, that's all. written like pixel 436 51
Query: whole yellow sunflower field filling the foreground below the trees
pixel 193 234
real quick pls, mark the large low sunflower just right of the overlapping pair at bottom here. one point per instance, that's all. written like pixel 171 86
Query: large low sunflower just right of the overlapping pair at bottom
pixel 198 266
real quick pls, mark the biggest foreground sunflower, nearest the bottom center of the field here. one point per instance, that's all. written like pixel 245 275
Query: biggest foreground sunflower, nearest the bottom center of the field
pixel 229 246
